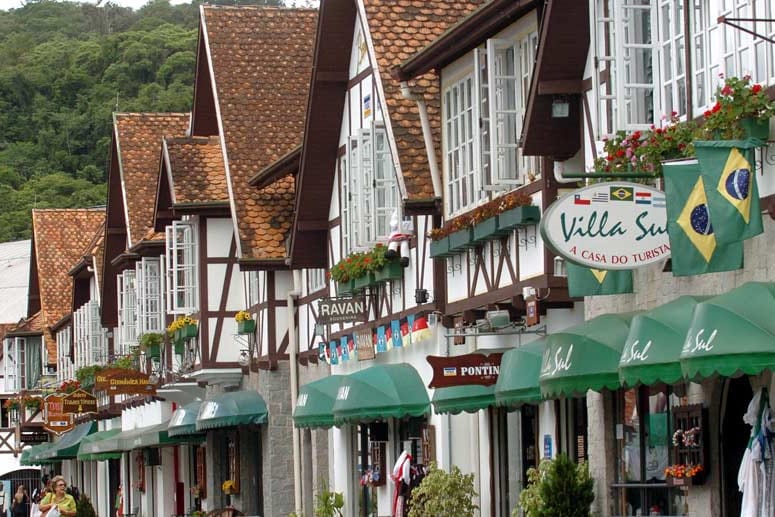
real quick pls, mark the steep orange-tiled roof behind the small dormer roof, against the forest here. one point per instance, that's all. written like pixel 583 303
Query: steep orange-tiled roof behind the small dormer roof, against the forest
pixel 138 138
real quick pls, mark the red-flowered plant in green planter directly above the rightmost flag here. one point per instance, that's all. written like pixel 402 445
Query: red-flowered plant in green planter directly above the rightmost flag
pixel 742 110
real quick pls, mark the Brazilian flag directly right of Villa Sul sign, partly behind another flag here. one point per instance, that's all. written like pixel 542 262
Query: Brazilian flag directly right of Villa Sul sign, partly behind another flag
pixel 693 245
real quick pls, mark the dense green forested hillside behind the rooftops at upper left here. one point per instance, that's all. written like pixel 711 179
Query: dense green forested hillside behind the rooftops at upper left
pixel 64 68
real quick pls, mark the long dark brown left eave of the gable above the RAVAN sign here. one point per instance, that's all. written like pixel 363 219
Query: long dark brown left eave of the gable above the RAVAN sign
pixel 325 107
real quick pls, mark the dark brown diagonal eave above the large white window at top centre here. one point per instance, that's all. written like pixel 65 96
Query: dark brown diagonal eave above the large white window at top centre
pixel 464 36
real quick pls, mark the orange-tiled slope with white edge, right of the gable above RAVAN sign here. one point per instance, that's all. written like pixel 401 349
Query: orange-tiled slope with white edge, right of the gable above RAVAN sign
pixel 398 30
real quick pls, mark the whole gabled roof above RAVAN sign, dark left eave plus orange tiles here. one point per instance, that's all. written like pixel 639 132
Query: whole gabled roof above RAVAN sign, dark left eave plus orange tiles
pixel 395 31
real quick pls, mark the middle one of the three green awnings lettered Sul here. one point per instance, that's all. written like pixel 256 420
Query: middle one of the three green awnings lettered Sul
pixel 653 348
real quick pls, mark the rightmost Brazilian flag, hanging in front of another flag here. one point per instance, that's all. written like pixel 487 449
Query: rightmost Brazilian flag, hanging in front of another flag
pixel 728 174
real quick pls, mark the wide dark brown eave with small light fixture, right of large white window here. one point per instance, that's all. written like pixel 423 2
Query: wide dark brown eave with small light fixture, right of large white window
pixel 559 71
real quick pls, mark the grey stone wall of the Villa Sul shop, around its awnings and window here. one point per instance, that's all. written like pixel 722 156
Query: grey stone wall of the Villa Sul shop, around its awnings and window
pixel 653 287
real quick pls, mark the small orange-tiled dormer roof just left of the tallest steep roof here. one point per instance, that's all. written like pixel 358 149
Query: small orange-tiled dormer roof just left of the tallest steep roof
pixel 196 167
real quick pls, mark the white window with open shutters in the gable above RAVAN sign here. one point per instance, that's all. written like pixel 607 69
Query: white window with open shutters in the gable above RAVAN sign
pixel 369 189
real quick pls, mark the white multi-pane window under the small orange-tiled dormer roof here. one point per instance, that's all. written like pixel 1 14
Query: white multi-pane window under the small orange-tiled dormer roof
pixel 182 268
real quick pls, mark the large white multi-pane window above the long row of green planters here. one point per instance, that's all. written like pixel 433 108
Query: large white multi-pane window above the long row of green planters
pixel 483 112
